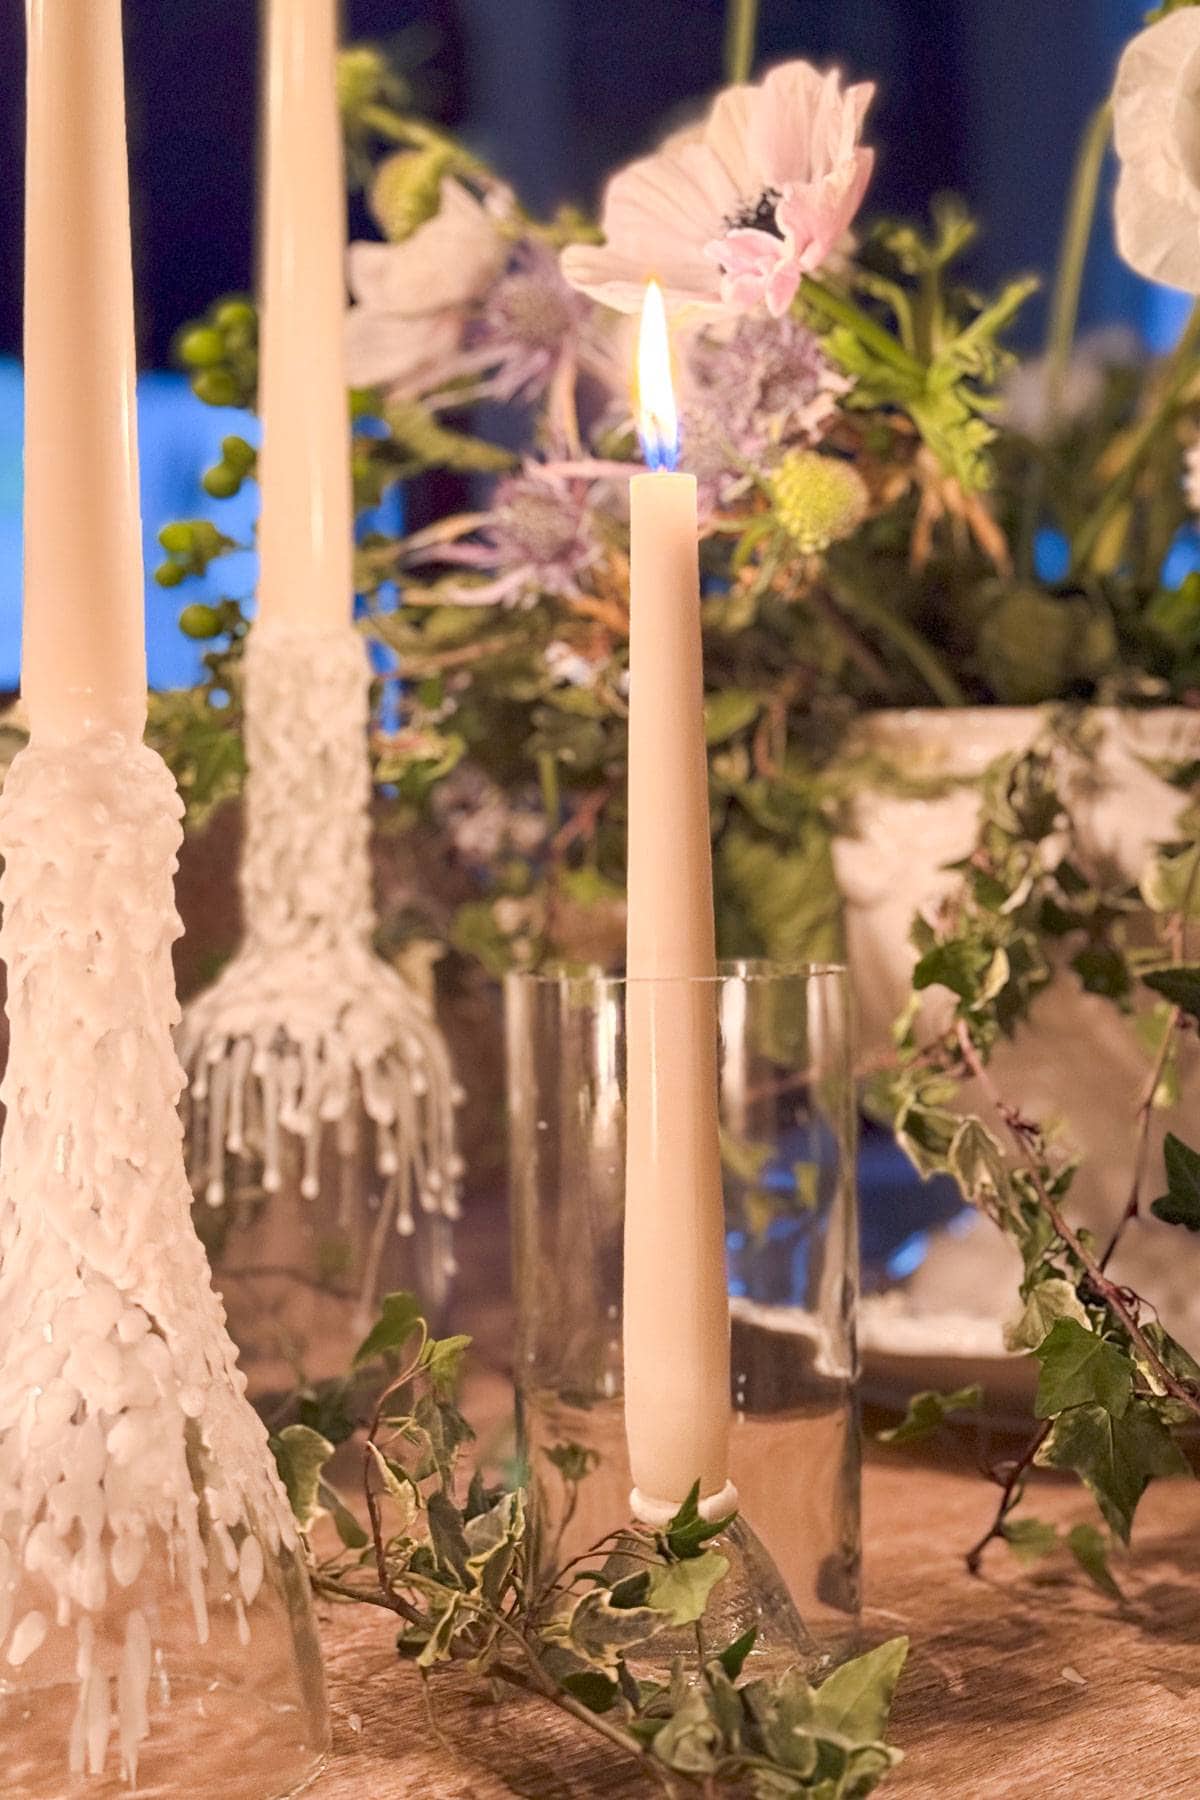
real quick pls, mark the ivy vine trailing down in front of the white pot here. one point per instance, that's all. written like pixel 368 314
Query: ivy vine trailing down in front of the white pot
pixel 1113 1385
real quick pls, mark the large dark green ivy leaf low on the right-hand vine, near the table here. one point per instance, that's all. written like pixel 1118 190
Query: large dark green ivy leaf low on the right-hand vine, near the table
pixel 1116 1459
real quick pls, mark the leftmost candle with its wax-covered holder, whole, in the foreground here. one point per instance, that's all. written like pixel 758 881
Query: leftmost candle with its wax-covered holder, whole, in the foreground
pixel 156 1624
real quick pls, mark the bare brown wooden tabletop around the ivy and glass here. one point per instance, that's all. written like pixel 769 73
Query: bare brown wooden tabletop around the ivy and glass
pixel 1019 1686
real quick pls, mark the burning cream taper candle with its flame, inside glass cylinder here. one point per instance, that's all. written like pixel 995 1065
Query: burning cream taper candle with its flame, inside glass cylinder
pixel 676 1302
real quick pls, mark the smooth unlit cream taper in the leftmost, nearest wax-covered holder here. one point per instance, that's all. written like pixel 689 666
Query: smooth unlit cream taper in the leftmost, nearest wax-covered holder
pixel 84 634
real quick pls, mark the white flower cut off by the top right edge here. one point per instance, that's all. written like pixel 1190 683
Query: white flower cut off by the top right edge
pixel 1158 132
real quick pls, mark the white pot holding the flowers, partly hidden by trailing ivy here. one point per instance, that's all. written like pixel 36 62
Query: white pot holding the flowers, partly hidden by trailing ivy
pixel 1079 1059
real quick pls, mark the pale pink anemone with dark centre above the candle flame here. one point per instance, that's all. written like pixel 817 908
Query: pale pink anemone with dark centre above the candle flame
pixel 735 213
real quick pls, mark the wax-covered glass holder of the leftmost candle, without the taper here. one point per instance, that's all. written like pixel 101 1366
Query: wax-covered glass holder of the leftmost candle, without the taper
pixel 156 1626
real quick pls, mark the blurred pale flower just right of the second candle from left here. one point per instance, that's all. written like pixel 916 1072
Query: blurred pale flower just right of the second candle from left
pixel 411 298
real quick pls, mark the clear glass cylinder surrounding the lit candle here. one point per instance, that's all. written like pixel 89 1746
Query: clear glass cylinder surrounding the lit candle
pixel 787 1120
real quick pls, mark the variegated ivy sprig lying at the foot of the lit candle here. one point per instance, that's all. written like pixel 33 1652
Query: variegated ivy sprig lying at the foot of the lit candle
pixel 451 1560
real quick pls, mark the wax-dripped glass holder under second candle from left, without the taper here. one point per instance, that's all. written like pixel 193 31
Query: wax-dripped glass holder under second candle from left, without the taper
pixel 321 1108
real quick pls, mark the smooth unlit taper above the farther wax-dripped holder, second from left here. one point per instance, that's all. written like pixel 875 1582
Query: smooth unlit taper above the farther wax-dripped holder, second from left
pixel 307 523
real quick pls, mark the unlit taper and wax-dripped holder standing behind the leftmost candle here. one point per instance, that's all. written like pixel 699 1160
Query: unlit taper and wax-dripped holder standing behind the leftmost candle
pixel 321 1110
